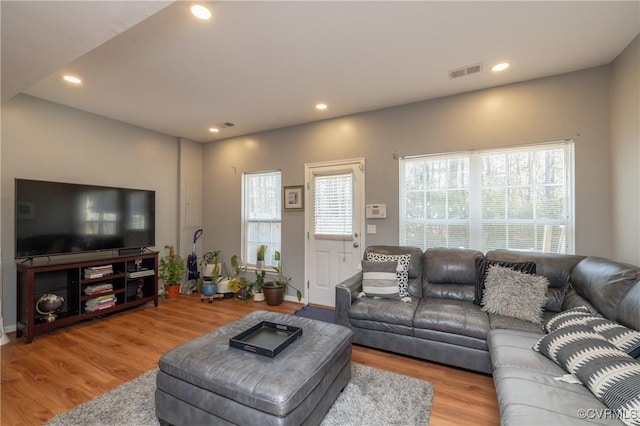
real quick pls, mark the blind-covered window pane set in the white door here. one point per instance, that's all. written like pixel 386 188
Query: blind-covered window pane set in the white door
pixel 333 205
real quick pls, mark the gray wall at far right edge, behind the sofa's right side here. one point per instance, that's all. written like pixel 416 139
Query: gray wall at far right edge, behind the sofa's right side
pixel 625 153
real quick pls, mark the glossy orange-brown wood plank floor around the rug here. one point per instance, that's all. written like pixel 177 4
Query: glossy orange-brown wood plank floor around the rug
pixel 72 365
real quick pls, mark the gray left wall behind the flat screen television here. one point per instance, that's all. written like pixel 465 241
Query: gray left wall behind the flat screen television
pixel 47 141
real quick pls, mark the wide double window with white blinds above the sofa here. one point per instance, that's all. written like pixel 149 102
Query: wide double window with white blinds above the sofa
pixel 516 198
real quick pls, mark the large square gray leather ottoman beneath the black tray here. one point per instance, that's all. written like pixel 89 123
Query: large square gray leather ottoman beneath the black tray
pixel 205 381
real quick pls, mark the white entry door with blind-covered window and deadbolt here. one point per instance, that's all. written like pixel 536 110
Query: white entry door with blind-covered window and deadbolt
pixel 334 225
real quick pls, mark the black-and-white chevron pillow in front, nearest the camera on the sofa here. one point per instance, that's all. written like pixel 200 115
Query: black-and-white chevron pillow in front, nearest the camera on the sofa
pixel 609 373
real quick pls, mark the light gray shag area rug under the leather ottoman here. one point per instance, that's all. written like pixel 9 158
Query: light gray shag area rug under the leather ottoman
pixel 372 397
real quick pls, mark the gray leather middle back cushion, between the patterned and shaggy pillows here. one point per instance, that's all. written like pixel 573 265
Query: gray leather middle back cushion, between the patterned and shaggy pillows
pixel 449 273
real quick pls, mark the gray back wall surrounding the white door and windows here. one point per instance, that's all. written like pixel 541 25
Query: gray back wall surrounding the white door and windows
pixel 569 106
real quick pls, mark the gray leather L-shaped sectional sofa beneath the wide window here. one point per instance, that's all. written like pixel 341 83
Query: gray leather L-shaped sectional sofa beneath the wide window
pixel 442 323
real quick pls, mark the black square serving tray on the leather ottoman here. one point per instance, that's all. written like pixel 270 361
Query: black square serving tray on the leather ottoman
pixel 266 338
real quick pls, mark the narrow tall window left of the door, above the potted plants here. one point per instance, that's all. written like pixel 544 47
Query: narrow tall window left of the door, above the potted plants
pixel 261 207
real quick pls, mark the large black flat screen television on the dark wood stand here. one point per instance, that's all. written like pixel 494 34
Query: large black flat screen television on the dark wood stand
pixel 54 218
